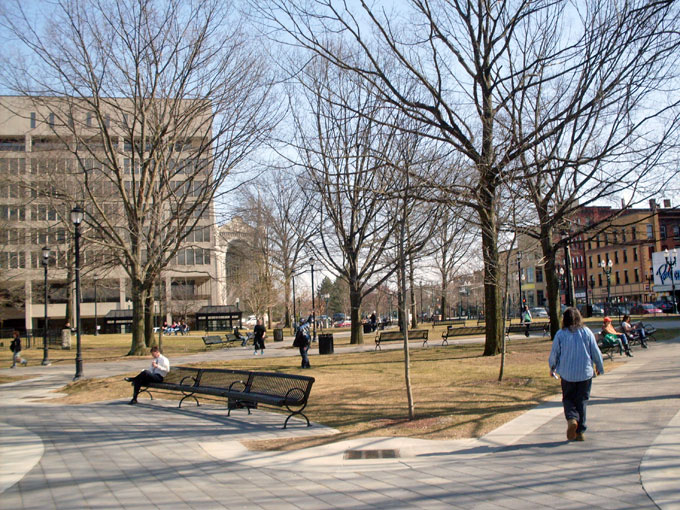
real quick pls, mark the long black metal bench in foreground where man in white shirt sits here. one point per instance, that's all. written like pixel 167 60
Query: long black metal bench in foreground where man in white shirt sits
pixel 241 388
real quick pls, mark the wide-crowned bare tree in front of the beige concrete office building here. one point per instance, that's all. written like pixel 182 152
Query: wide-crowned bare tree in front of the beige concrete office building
pixel 157 102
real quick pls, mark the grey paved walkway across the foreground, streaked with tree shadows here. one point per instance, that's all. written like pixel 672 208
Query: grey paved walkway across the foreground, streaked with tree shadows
pixel 110 455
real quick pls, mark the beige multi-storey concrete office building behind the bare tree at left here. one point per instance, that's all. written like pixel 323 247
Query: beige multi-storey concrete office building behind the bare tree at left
pixel 36 158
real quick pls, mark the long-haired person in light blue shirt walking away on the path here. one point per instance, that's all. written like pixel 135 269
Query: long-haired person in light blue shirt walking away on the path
pixel 573 353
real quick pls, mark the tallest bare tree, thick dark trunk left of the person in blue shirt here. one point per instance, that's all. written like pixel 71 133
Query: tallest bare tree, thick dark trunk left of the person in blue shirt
pixel 454 67
